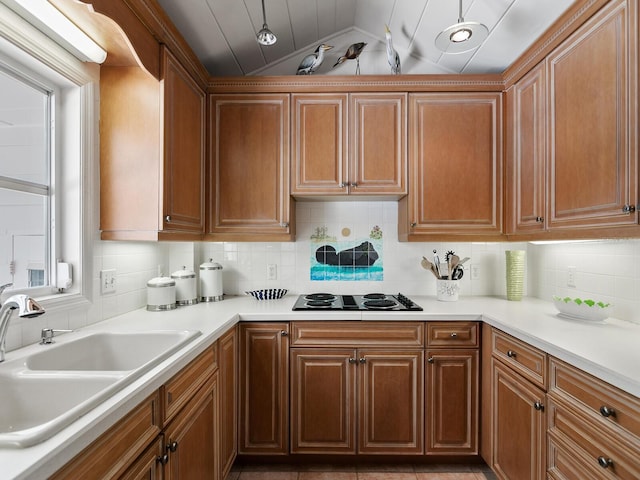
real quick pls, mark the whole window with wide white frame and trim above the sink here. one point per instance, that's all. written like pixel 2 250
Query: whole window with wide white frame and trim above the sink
pixel 48 163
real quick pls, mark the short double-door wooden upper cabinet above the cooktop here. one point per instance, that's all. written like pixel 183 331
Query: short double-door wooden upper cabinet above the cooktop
pixel 349 144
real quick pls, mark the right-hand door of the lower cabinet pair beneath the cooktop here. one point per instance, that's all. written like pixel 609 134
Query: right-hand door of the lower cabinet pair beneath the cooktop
pixel 391 401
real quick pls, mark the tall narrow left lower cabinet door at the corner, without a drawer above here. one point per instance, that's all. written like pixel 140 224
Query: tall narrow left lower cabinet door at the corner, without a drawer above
pixel 228 368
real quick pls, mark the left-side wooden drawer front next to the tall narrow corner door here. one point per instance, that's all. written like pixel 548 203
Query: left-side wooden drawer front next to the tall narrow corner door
pixel 178 390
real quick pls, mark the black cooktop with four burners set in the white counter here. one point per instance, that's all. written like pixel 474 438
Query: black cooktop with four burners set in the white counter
pixel 370 301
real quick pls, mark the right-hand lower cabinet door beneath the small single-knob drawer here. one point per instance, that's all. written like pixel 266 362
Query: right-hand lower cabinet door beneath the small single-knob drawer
pixel 518 426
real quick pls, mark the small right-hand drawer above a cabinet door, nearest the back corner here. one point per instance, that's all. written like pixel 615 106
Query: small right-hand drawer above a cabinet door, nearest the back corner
pixel 525 359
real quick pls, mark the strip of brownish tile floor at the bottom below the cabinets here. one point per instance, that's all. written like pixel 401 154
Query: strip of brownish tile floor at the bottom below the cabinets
pixel 361 472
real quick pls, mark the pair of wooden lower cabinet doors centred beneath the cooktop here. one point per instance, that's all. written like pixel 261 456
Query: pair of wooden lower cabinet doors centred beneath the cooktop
pixel 364 401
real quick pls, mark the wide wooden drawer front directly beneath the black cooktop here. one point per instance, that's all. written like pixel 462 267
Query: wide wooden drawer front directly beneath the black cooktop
pixel 357 334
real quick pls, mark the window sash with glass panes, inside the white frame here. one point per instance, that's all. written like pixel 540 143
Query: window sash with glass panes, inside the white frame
pixel 25 166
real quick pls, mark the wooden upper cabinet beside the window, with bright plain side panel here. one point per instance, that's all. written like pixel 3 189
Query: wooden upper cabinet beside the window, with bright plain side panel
pixel 152 153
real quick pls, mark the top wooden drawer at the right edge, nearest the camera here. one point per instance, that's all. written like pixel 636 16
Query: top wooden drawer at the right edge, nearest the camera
pixel 608 405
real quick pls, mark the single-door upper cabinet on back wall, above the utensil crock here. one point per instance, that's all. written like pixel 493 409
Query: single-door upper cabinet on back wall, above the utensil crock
pixel 455 166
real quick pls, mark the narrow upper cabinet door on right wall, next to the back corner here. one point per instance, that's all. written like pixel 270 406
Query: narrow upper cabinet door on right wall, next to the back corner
pixel 526 153
